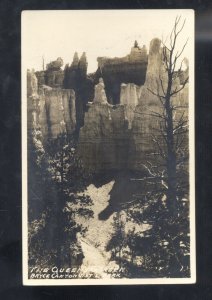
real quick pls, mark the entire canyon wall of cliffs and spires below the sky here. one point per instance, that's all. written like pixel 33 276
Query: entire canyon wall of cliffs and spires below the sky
pixel 120 134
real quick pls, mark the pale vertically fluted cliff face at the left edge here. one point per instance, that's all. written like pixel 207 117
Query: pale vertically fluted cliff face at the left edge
pixel 50 109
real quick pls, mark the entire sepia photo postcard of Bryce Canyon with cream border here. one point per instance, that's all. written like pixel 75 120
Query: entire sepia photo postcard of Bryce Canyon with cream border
pixel 108 147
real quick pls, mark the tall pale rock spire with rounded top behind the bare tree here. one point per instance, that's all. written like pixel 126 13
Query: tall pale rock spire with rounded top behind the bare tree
pixel 146 123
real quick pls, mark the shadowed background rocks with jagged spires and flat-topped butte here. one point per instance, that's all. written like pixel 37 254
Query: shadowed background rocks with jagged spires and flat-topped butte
pixel 128 69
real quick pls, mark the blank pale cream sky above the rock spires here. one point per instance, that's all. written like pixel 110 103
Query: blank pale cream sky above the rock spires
pixel 53 34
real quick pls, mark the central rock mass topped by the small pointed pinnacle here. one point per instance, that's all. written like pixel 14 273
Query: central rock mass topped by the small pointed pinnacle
pixel 104 138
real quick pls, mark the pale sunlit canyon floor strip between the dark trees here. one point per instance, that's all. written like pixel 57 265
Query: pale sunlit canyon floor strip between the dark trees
pixel 96 258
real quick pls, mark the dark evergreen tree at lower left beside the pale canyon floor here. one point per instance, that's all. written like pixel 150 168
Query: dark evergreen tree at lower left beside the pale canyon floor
pixel 57 238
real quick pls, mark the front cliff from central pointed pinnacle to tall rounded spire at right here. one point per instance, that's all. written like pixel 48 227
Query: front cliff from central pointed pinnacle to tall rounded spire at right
pixel 121 136
